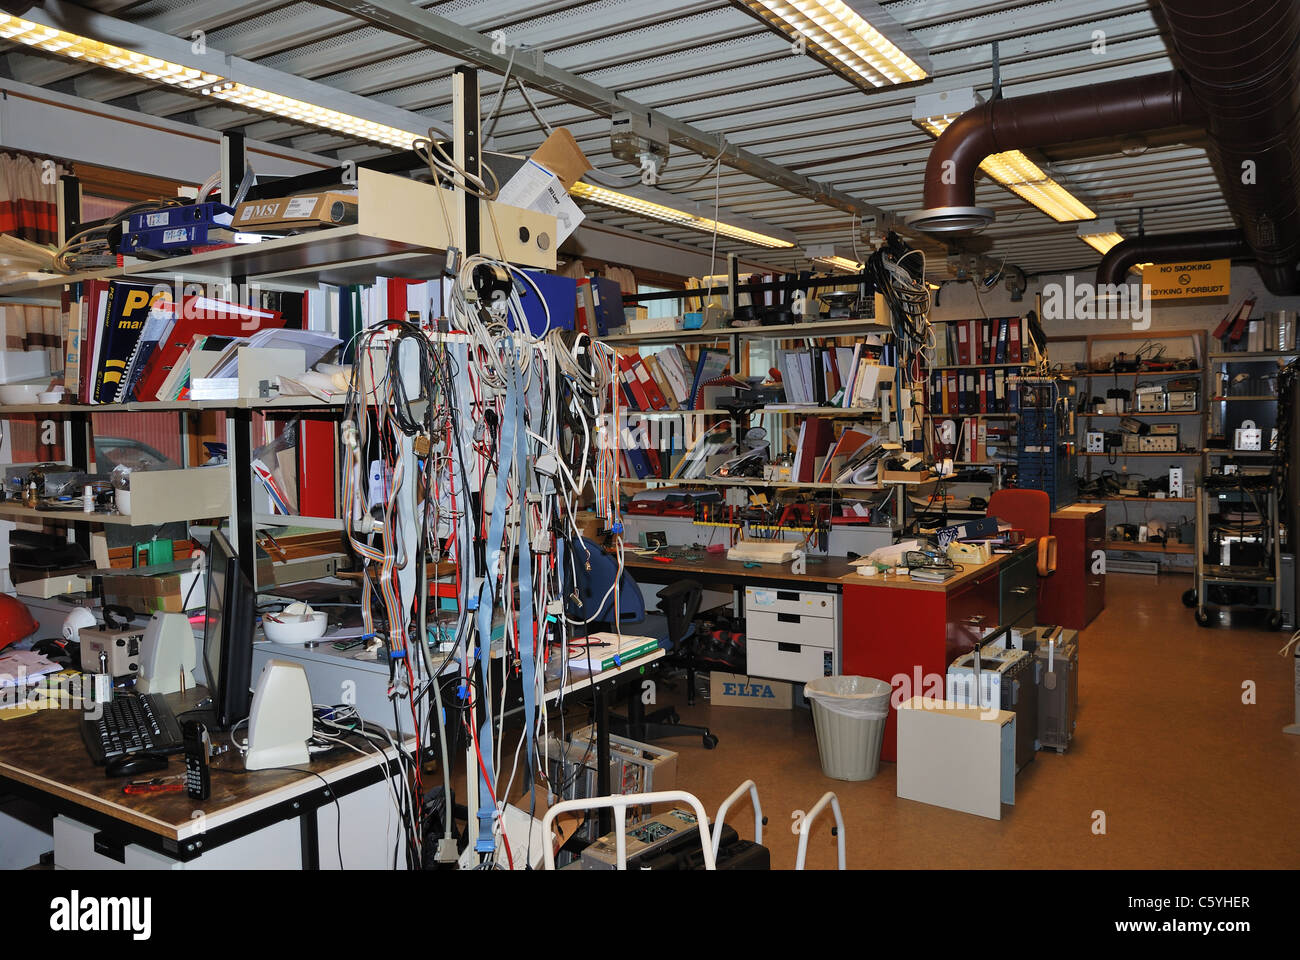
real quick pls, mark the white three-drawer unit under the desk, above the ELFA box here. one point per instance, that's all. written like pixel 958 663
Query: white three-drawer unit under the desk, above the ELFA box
pixel 792 635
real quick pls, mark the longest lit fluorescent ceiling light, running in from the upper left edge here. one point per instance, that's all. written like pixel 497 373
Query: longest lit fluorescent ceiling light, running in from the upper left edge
pixel 162 71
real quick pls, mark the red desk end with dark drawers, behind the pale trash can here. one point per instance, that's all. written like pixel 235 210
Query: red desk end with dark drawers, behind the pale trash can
pixel 902 630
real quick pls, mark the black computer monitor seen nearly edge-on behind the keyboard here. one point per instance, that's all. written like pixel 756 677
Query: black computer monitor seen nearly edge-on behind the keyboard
pixel 228 634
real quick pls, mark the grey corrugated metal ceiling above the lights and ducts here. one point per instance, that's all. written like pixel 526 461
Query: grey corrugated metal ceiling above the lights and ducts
pixel 712 66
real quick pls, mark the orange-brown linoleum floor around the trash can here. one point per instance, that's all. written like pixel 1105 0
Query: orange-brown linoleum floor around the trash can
pixel 1186 775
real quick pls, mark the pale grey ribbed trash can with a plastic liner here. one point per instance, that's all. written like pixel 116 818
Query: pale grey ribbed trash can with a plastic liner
pixel 850 715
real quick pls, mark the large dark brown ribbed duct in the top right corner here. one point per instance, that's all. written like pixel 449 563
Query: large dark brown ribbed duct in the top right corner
pixel 1242 63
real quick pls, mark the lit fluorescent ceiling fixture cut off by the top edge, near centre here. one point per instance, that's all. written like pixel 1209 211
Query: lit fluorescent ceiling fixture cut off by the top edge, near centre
pixel 840 37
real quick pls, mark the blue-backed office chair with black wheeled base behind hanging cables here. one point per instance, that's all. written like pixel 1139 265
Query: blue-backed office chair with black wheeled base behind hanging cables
pixel 595 573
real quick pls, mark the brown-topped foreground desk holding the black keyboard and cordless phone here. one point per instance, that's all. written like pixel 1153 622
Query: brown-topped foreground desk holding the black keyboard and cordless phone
pixel 267 819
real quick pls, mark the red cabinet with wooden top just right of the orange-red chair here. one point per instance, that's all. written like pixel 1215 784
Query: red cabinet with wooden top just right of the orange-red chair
pixel 1077 593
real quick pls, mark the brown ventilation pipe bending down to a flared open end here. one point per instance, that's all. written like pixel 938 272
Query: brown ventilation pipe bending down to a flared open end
pixel 1063 116
